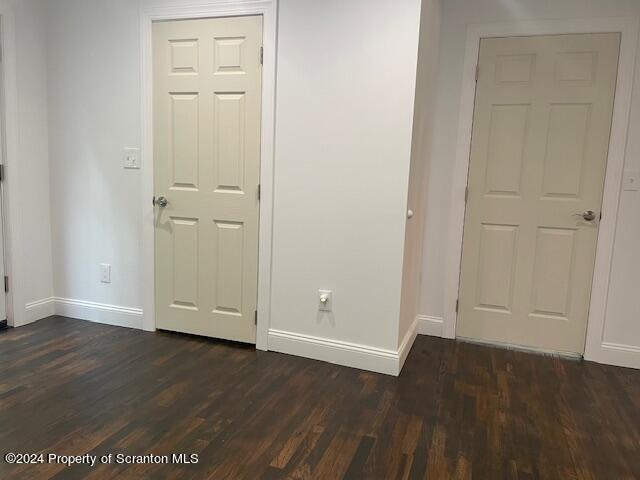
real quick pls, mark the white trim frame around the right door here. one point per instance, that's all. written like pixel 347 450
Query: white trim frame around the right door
pixel 628 27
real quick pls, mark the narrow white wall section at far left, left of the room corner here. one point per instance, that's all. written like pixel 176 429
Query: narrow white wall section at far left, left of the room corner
pixel 28 212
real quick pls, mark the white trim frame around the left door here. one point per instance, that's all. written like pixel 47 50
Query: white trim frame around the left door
pixel 212 9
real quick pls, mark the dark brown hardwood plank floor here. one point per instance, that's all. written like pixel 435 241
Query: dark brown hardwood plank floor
pixel 457 411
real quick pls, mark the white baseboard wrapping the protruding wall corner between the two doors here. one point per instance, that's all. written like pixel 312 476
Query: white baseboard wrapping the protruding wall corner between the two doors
pixel 378 360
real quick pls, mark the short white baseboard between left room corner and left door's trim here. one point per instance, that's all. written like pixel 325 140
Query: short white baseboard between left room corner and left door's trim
pixel 99 312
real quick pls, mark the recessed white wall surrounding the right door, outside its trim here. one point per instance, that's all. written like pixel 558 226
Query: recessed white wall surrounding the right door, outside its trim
pixel 622 321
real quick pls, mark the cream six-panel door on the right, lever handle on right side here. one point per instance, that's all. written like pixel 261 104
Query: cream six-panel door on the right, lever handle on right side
pixel 540 142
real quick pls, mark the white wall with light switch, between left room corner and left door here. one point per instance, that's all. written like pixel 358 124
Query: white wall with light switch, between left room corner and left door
pixel 94 112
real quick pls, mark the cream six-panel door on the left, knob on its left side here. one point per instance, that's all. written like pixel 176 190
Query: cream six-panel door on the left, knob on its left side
pixel 207 97
